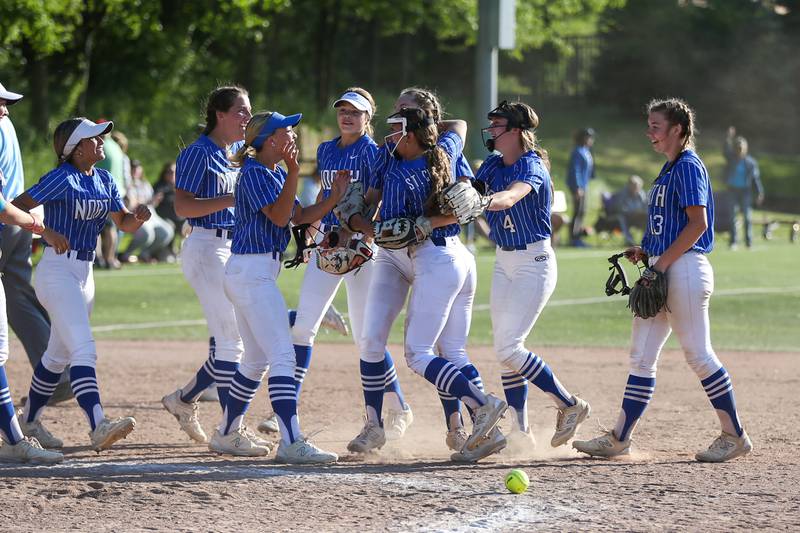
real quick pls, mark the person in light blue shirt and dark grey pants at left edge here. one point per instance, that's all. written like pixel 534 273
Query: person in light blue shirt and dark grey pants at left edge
pixel 26 316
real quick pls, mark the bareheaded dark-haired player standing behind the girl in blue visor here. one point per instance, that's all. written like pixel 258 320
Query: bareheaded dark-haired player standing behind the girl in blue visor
pixel 204 195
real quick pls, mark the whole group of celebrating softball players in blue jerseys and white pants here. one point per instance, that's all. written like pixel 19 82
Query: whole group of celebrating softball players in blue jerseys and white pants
pixel 387 223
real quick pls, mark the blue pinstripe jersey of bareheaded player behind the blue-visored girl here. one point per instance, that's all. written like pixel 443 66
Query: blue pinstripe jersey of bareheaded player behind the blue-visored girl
pixel 204 170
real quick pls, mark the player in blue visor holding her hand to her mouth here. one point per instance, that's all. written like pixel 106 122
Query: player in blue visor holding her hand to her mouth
pixel 265 204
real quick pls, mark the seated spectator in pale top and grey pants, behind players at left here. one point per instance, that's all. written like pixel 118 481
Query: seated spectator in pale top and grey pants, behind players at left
pixel 154 235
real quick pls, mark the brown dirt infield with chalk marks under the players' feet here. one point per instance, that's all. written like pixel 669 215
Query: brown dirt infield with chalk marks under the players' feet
pixel 158 480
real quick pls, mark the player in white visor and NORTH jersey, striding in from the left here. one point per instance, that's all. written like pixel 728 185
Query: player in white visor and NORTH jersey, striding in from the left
pixel 77 199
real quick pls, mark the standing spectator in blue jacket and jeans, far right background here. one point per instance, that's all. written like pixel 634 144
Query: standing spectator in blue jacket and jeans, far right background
pixel 742 176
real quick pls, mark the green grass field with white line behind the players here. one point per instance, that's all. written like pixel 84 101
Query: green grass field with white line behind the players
pixel 756 305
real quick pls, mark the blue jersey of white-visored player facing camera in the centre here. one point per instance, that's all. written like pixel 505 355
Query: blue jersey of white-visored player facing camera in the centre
pixel 359 158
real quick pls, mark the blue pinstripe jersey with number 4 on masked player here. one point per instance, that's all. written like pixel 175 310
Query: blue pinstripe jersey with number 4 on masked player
pixel 528 220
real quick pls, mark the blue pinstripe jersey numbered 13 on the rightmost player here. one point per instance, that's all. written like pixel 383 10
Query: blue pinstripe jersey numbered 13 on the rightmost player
pixel 677 187
